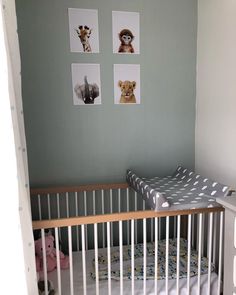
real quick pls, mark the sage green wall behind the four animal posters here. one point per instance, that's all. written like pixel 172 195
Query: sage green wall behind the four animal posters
pixel 70 144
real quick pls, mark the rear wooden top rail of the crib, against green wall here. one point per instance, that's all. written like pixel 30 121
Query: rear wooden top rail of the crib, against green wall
pixel 80 188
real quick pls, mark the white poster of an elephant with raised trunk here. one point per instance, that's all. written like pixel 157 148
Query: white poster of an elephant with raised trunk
pixel 86 84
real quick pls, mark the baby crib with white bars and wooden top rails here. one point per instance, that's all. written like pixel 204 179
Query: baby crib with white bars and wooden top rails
pixel 93 220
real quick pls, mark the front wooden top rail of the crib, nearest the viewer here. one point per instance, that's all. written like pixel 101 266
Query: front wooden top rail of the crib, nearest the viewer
pixel 114 217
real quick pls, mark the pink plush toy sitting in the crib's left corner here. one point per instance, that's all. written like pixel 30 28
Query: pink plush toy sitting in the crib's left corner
pixel 50 255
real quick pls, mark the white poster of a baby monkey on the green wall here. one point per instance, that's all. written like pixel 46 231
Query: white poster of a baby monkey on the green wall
pixel 125 26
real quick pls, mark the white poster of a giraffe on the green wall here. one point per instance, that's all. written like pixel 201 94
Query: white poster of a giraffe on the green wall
pixel 83 25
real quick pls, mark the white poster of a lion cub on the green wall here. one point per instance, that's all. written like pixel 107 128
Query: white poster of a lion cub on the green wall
pixel 127 84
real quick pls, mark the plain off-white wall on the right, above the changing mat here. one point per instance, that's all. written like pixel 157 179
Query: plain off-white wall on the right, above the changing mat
pixel 216 90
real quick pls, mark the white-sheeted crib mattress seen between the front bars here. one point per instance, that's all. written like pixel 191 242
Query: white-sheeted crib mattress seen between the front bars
pixel 115 285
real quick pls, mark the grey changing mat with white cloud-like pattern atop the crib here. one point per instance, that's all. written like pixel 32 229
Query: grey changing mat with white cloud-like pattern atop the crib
pixel 182 190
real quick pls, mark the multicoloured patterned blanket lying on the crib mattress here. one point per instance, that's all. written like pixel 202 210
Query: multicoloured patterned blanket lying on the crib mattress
pixel 150 268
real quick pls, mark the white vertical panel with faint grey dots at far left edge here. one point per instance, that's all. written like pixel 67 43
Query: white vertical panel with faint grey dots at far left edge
pixel 18 258
